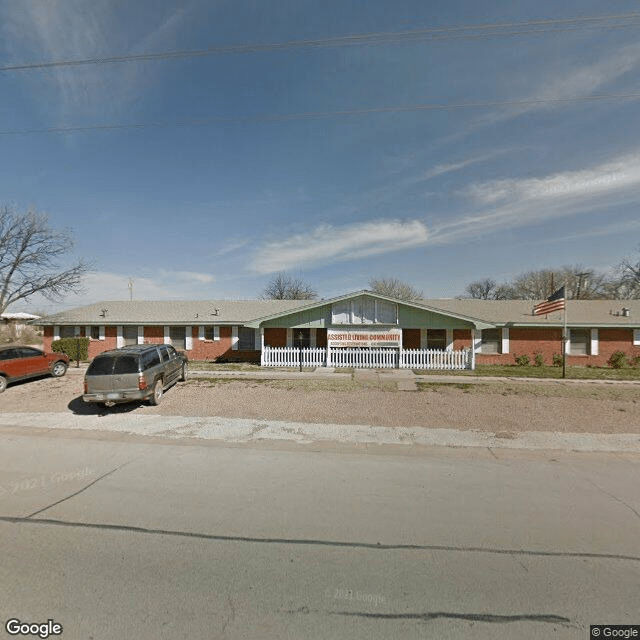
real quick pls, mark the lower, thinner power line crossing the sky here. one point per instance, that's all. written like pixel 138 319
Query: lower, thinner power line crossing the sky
pixel 314 115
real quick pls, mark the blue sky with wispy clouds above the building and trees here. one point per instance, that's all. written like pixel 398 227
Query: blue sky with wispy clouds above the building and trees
pixel 494 138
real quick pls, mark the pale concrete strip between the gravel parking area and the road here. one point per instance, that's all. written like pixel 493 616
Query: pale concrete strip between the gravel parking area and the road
pixel 240 430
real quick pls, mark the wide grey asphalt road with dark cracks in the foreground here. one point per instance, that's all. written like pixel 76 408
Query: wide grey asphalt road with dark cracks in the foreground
pixel 118 538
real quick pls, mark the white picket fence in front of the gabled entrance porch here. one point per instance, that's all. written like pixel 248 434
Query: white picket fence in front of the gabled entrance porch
pixel 368 358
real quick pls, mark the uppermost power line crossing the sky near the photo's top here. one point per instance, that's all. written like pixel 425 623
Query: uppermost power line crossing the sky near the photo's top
pixel 467 32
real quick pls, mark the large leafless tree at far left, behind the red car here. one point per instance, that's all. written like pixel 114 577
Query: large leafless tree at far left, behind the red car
pixel 29 253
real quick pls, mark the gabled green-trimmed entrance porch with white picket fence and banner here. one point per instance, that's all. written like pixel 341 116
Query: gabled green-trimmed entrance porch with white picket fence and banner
pixel 366 330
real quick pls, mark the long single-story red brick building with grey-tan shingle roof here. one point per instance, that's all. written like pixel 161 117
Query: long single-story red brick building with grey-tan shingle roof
pixel 488 331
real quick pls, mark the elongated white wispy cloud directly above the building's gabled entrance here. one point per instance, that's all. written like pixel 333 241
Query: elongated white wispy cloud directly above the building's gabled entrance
pixel 330 243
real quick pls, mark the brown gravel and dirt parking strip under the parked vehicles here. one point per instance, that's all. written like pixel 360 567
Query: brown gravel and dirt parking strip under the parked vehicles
pixel 506 408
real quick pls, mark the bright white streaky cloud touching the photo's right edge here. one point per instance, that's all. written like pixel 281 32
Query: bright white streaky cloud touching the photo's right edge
pixel 511 203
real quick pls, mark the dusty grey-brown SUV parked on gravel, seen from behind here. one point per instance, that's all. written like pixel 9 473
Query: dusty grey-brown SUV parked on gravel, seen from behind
pixel 137 372
